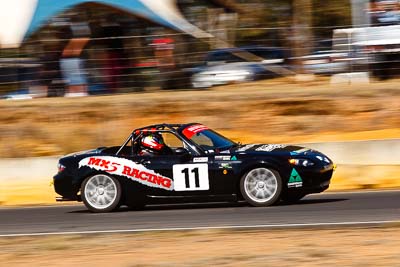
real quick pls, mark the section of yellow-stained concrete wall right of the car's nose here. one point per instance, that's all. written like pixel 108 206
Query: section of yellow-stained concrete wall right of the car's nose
pixel 363 164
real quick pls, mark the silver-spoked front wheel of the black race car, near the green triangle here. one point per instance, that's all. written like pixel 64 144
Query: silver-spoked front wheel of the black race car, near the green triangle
pixel 261 187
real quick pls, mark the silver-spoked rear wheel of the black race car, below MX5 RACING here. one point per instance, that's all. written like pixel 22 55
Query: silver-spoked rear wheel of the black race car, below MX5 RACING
pixel 101 193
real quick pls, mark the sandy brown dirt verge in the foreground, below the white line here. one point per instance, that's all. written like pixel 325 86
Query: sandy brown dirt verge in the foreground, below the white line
pixel 340 247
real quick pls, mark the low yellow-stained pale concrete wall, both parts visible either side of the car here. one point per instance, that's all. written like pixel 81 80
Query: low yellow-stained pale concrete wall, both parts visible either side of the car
pixel 361 164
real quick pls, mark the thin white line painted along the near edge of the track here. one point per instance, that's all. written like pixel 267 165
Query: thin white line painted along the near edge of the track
pixel 228 227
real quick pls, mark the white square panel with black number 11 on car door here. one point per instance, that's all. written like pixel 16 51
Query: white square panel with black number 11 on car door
pixel 190 177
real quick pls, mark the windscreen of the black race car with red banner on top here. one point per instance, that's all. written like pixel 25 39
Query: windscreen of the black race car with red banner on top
pixel 207 139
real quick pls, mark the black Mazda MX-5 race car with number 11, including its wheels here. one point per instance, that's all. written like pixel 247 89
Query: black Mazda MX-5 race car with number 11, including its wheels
pixel 196 165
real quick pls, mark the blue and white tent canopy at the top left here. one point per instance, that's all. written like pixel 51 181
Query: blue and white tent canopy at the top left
pixel 21 18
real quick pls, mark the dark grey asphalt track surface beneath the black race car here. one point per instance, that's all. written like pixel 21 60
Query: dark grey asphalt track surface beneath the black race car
pixel 356 208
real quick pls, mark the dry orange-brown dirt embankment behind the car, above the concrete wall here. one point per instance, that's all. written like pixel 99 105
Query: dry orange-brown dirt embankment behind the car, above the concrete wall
pixel 266 111
